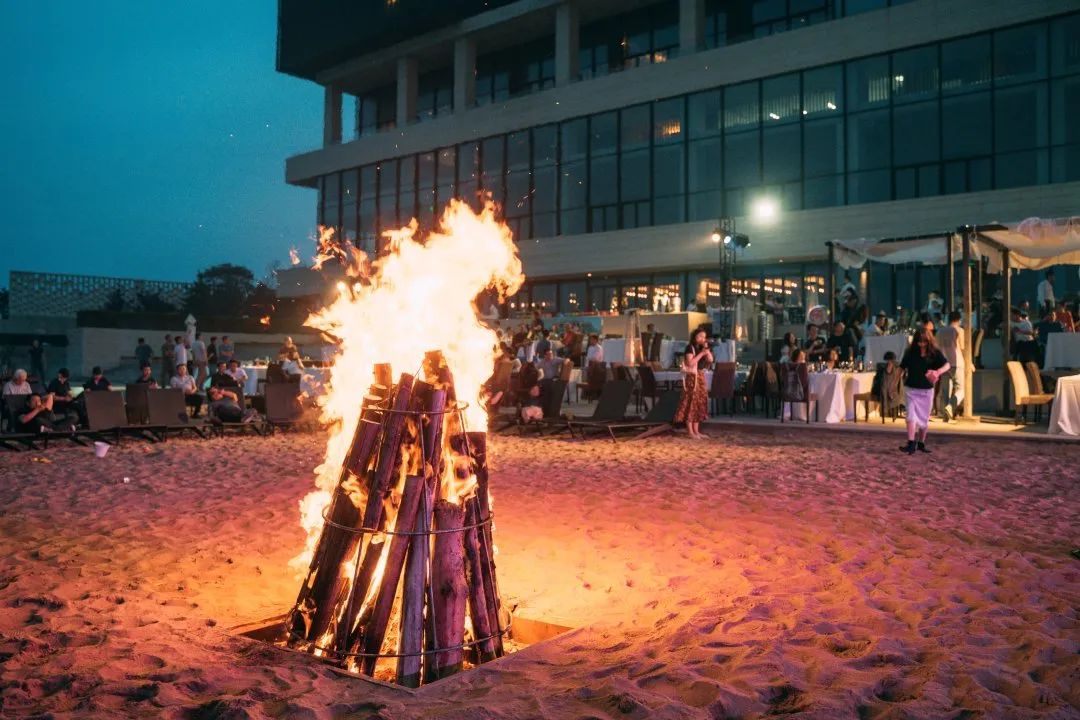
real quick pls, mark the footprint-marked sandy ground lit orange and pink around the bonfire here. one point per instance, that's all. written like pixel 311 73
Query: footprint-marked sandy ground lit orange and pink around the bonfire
pixel 742 577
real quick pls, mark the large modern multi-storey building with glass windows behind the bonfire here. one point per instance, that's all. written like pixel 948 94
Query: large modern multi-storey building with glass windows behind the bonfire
pixel 617 135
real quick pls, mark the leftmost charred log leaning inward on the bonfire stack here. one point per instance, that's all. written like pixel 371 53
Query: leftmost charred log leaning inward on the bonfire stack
pixel 315 609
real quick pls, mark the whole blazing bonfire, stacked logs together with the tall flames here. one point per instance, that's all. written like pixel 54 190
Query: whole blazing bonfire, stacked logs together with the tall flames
pixel 400 579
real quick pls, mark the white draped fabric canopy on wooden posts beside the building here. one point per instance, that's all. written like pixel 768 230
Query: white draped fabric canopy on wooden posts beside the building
pixel 1032 244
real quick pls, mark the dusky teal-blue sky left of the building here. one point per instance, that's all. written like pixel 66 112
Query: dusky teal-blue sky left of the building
pixel 148 140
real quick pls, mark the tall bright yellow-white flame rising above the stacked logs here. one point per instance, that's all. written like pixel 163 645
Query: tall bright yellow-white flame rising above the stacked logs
pixel 418 297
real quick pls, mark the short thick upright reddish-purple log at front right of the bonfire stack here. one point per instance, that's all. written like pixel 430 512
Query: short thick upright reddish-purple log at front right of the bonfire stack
pixel 449 588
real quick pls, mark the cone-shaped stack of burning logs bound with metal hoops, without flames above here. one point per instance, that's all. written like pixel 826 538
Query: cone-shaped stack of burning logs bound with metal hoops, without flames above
pixel 407 551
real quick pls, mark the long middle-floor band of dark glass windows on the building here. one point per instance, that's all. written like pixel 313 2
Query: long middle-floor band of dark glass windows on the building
pixel 987 112
